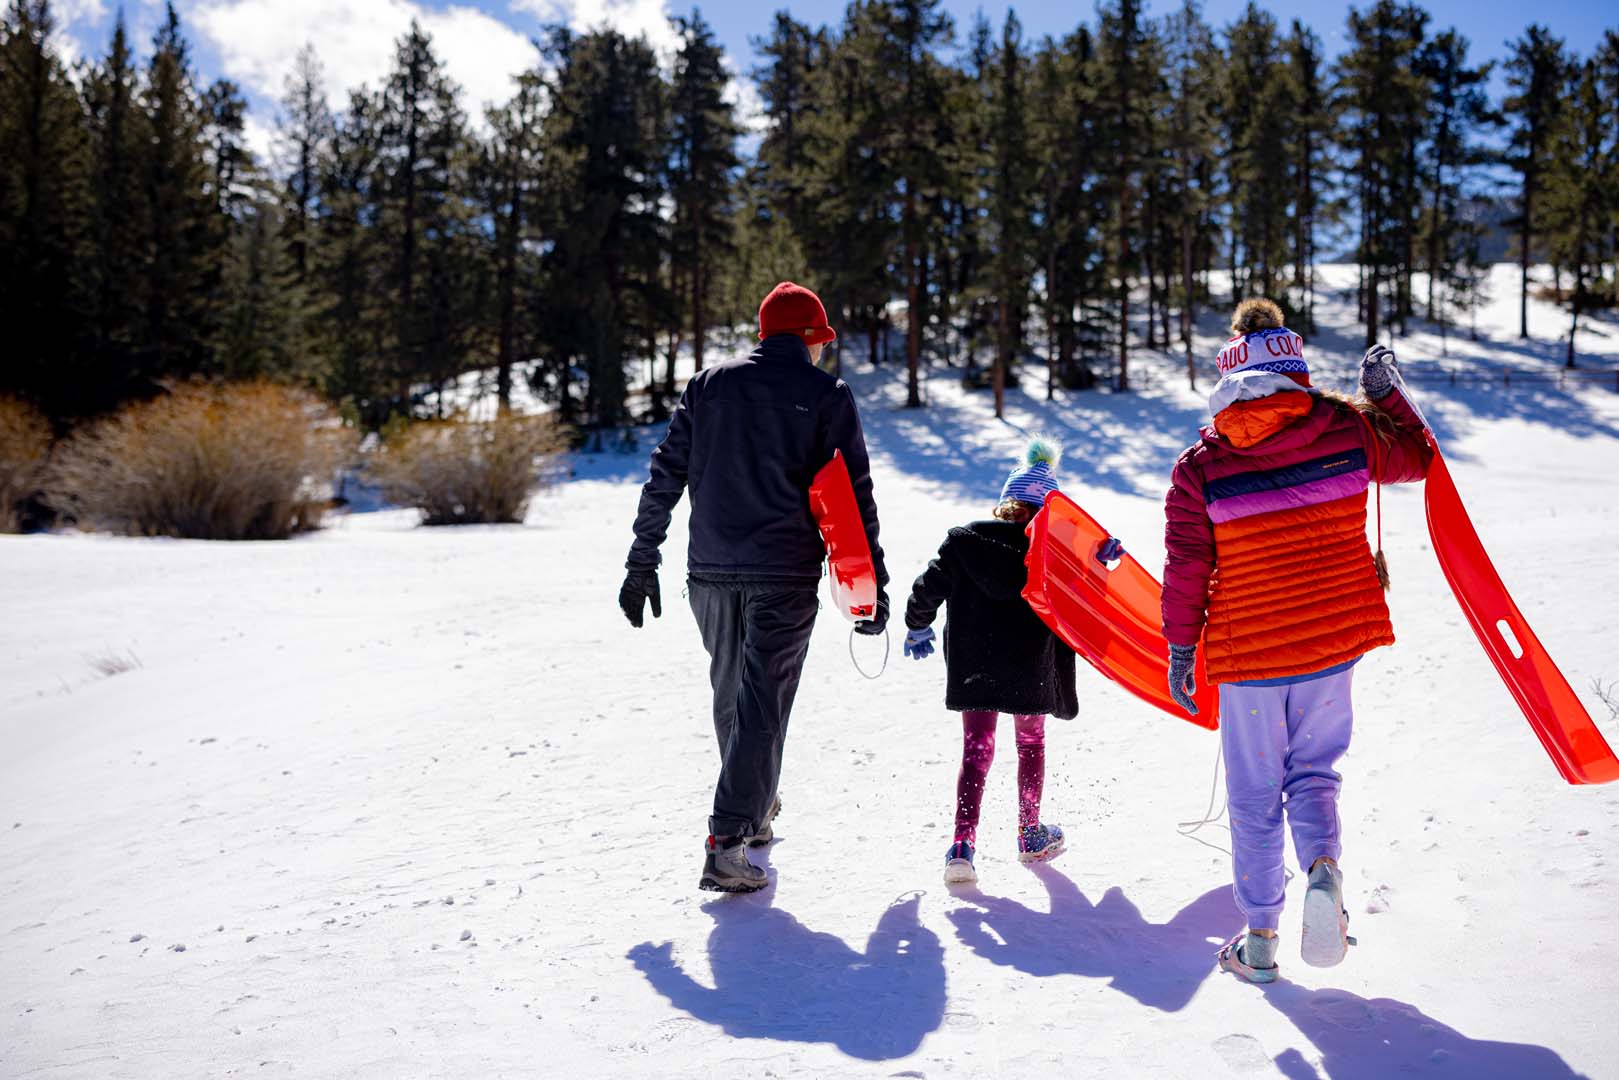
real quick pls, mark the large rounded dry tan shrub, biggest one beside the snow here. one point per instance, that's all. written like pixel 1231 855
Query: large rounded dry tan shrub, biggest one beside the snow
pixel 247 461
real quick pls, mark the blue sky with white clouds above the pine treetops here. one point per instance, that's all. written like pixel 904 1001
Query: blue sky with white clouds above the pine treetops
pixel 487 41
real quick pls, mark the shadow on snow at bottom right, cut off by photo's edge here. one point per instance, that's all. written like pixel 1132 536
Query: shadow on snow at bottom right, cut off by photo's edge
pixel 1369 1040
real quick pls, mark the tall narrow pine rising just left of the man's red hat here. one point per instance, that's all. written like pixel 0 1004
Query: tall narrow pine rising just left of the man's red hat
pixel 703 168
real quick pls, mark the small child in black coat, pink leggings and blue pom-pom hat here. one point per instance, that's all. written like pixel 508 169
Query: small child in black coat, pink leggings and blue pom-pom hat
pixel 1000 657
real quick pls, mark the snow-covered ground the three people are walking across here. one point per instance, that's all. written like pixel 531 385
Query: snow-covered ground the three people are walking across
pixel 401 802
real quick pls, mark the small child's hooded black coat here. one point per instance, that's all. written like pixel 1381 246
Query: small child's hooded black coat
pixel 1000 657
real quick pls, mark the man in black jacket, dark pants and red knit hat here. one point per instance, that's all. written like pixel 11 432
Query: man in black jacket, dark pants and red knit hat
pixel 747 441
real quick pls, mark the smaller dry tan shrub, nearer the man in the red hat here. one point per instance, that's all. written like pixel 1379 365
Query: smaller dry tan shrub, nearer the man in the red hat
pixel 467 472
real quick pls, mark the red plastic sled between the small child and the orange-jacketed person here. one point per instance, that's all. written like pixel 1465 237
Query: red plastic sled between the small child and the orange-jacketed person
pixel 1110 618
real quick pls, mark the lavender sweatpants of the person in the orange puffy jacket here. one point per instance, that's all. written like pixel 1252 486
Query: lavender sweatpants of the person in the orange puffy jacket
pixel 1281 746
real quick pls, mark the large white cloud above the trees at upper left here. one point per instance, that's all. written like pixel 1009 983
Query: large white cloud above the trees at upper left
pixel 258 41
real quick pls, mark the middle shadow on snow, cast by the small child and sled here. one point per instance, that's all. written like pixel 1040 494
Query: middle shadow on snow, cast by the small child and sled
pixel 1158 964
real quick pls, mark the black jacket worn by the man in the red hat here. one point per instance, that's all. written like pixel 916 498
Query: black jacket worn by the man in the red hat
pixel 747 440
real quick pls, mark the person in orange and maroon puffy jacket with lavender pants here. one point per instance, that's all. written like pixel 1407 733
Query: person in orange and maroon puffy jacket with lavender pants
pixel 1270 574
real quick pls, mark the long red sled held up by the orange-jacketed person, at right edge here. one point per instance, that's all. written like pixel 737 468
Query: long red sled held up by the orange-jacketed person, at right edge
pixel 1550 705
